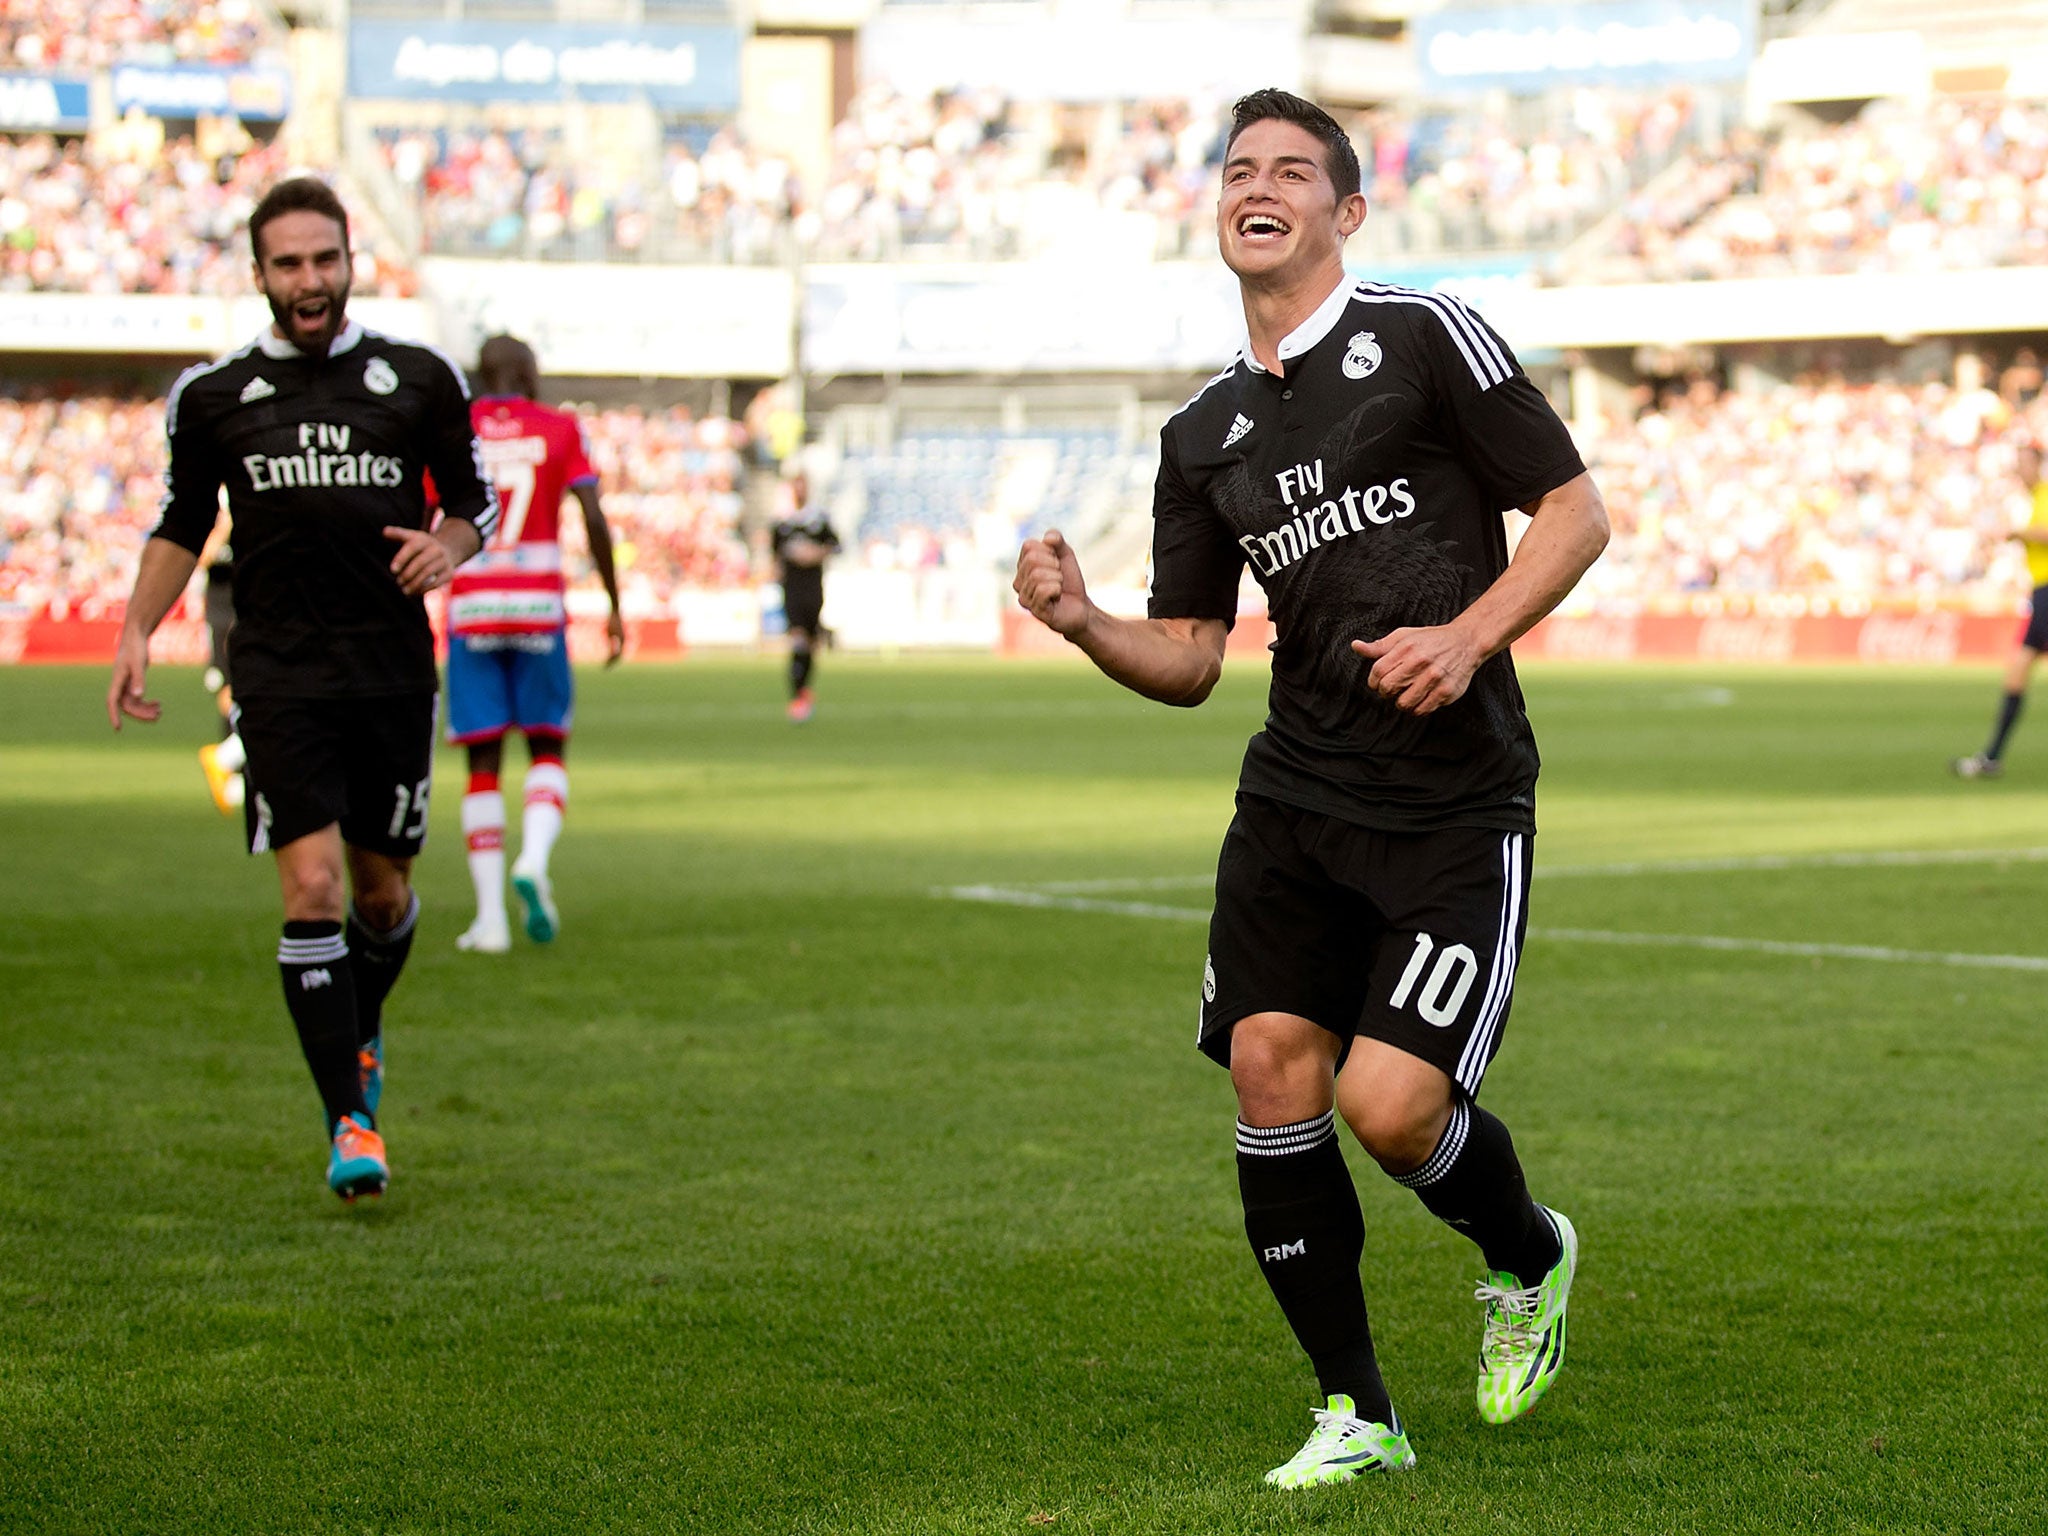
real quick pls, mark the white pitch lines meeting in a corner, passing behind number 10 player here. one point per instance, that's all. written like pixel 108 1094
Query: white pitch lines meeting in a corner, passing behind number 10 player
pixel 1066 896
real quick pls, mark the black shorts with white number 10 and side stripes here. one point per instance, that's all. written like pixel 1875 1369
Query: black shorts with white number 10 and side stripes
pixel 1400 937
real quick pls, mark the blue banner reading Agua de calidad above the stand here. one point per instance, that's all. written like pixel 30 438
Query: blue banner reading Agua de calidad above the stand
pixel 681 69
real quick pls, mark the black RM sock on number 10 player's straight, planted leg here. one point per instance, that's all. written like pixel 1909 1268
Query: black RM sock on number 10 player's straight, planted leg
pixel 1302 1215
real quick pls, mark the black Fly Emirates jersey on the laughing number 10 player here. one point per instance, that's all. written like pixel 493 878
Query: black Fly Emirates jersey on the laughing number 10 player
pixel 1365 490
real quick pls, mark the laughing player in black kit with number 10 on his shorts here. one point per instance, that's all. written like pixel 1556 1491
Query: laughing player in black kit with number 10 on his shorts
pixel 1371 894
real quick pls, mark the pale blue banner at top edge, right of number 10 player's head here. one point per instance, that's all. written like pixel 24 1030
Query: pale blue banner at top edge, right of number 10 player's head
pixel 1529 50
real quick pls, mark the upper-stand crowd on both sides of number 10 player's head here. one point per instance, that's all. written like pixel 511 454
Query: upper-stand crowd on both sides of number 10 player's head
pixel 978 175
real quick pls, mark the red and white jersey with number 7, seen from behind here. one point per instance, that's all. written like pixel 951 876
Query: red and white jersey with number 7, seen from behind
pixel 534 456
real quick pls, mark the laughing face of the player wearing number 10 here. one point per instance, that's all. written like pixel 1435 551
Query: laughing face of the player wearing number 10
pixel 1281 216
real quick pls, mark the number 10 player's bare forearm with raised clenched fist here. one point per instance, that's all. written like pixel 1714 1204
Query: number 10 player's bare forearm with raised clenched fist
pixel 1170 660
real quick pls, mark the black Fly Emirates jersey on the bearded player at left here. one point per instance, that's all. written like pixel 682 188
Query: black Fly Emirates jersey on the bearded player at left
pixel 321 456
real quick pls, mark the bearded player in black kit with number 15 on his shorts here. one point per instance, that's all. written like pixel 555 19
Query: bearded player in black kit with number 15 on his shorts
pixel 323 433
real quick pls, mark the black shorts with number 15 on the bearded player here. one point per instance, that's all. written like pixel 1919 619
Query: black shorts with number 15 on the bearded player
pixel 366 763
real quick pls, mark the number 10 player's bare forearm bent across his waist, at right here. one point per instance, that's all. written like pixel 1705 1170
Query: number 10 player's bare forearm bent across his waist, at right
pixel 1420 671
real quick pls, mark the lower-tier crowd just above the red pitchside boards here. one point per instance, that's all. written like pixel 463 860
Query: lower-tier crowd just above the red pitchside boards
pixel 1820 488
